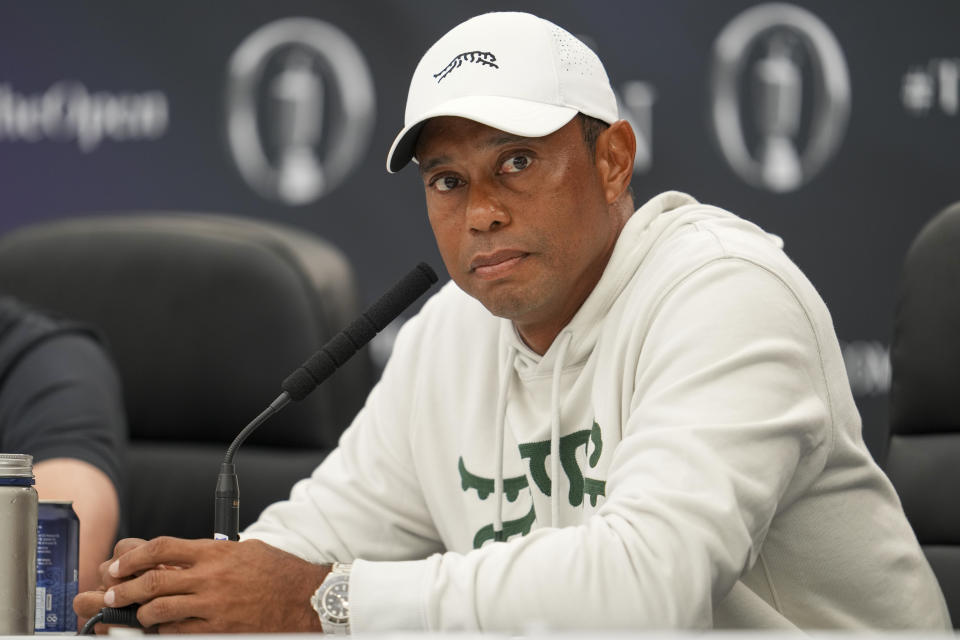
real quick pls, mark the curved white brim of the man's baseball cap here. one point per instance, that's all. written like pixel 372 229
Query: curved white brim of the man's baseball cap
pixel 512 115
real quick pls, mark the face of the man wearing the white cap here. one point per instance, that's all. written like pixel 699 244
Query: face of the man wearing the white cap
pixel 522 224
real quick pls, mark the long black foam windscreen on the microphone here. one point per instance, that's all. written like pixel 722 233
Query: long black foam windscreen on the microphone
pixel 346 343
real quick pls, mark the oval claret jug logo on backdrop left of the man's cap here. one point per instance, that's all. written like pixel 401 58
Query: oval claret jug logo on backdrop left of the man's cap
pixel 300 109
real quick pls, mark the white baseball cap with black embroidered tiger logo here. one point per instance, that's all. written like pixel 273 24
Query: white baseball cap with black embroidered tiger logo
pixel 511 71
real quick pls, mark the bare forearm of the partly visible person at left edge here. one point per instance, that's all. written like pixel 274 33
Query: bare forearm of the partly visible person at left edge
pixel 94 500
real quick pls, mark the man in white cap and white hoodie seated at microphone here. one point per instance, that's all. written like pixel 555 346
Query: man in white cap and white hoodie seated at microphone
pixel 610 419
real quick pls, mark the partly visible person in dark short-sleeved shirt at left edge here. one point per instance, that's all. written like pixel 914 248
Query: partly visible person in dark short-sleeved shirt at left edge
pixel 60 402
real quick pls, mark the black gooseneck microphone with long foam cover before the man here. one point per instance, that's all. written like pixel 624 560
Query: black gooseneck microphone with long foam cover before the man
pixel 308 376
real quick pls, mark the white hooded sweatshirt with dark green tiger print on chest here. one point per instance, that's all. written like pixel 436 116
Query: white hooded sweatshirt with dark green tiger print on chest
pixel 687 454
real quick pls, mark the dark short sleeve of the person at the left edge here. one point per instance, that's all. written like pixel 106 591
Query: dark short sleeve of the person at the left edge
pixel 62 399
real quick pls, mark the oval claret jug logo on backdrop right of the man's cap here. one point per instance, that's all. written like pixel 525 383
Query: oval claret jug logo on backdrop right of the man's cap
pixel 781 95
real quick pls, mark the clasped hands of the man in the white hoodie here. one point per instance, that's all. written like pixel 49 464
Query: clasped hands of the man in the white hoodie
pixel 209 586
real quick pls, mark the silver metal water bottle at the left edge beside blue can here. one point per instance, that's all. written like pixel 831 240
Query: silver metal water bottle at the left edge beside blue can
pixel 18 544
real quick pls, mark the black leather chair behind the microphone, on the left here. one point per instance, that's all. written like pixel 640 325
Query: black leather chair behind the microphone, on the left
pixel 204 315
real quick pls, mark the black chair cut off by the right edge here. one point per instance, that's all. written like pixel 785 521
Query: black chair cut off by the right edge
pixel 923 458
